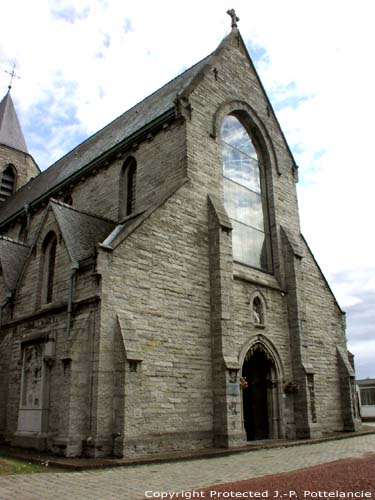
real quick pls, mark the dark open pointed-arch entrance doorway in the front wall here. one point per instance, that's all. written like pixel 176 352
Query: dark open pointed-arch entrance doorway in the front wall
pixel 260 395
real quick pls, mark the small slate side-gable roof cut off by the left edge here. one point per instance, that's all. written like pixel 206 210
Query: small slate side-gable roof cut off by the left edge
pixel 12 257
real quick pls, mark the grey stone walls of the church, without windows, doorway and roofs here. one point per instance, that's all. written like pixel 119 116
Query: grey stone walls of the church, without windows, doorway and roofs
pixel 161 324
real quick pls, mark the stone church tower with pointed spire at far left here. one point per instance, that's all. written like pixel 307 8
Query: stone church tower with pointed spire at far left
pixel 17 166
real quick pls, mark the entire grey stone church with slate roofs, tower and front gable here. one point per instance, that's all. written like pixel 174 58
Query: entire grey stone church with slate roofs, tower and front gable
pixel 156 291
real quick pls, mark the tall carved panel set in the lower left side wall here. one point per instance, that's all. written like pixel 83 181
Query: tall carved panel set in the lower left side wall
pixel 32 376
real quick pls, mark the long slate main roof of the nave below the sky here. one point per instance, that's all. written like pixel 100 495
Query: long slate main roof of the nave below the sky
pixel 124 127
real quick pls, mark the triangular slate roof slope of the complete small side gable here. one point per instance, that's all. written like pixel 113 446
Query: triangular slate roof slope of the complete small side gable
pixel 81 231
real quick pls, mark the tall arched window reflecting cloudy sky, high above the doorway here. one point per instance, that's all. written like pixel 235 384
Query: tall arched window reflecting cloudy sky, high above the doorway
pixel 245 196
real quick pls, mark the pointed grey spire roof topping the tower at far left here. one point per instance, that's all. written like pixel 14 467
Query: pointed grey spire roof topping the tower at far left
pixel 10 128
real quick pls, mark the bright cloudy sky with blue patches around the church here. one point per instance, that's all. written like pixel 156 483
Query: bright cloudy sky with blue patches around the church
pixel 81 64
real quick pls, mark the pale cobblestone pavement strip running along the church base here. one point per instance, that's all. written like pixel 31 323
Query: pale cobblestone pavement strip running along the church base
pixel 132 482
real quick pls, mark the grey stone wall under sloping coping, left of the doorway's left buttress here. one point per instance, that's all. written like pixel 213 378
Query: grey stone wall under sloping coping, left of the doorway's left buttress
pixel 158 278
